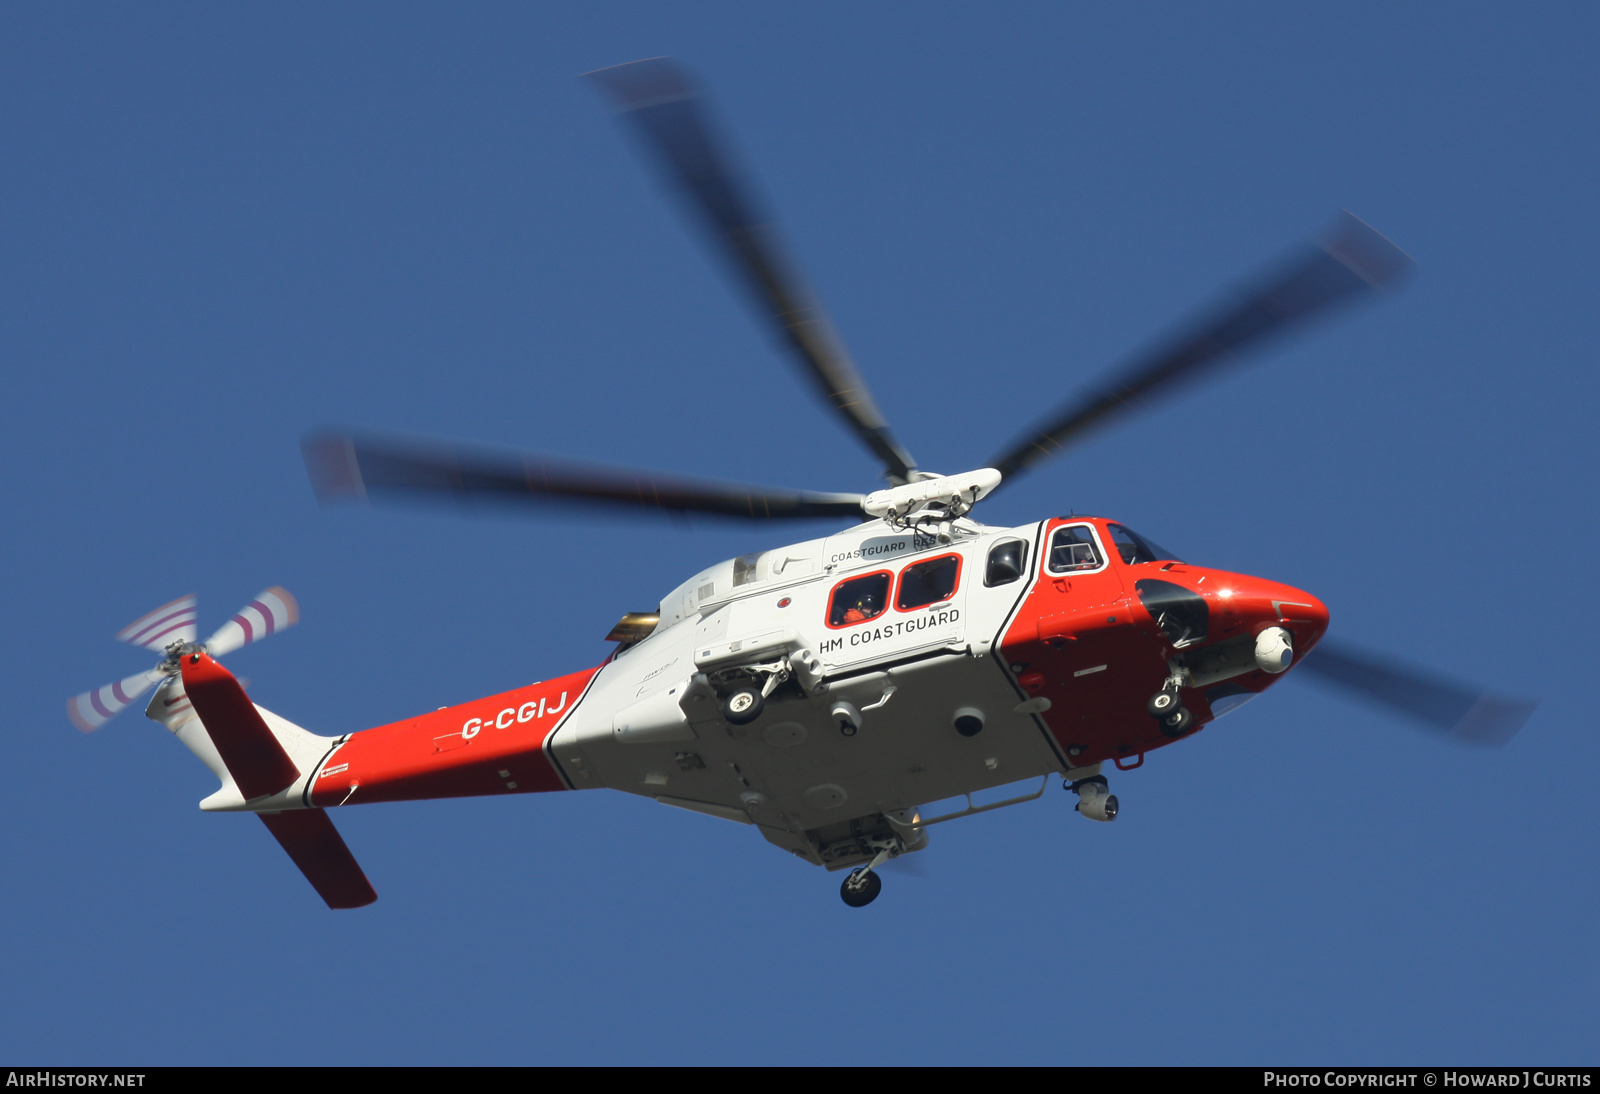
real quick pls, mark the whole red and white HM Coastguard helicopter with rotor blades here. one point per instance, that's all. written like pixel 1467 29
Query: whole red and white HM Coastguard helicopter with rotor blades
pixel 825 692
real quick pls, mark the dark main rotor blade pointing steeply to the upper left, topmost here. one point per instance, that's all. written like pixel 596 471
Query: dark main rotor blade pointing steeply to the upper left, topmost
pixel 666 108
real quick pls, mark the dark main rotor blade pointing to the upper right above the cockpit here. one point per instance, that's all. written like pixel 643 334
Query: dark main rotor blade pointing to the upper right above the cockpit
pixel 1350 263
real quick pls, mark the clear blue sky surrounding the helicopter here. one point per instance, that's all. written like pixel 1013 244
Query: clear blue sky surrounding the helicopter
pixel 225 226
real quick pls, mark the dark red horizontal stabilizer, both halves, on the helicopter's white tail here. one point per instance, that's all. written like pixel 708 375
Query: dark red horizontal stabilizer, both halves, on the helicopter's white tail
pixel 260 769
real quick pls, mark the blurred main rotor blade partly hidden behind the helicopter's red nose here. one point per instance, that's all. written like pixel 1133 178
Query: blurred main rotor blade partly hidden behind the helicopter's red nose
pixel 1455 709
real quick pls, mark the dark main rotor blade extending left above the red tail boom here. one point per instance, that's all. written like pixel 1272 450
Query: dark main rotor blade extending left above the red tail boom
pixel 354 469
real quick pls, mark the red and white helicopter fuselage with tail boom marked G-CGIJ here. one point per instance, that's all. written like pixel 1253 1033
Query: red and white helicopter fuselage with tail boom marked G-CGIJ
pixel 974 658
